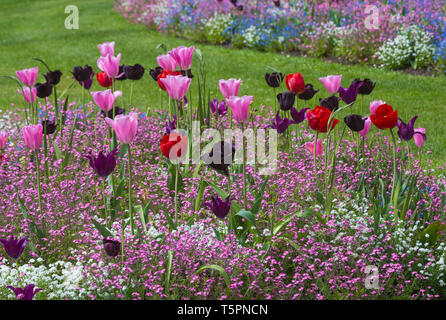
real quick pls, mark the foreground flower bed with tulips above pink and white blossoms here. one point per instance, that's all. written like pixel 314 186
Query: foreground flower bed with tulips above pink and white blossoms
pixel 105 202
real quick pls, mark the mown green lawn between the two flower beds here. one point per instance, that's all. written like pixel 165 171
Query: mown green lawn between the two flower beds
pixel 30 28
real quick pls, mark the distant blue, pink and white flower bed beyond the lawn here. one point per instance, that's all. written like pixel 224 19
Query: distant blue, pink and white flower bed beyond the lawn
pixel 352 31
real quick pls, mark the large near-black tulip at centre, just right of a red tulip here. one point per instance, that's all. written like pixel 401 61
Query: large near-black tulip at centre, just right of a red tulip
pixel 220 157
